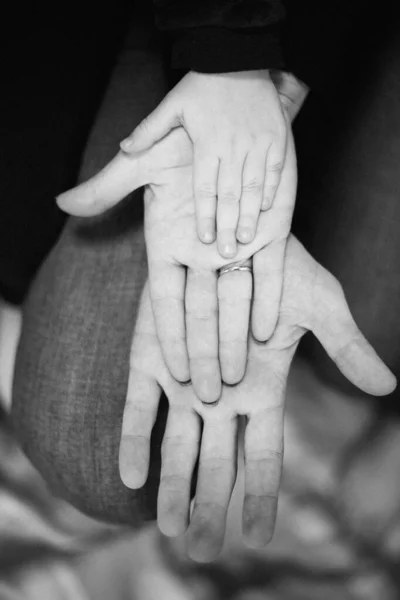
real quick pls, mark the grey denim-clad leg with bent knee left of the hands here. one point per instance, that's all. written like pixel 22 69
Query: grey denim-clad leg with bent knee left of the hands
pixel 72 365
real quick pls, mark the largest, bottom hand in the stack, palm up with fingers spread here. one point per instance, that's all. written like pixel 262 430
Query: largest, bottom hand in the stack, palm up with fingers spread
pixel 312 300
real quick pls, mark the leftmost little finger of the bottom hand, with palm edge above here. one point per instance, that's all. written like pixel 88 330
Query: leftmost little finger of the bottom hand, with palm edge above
pixel 142 399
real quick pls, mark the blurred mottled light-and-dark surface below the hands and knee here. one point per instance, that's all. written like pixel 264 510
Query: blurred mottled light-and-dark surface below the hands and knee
pixel 337 537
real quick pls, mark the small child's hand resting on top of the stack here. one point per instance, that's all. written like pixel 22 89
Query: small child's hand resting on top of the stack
pixel 238 128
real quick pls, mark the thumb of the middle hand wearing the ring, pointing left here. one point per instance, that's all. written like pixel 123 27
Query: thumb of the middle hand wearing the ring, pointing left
pixel 103 191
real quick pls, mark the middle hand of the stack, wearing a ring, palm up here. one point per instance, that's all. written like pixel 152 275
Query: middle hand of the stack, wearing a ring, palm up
pixel 191 306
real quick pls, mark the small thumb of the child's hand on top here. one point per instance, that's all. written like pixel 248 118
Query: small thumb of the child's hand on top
pixel 154 127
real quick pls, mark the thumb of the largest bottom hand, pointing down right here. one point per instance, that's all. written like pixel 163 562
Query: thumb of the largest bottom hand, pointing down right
pixel 335 328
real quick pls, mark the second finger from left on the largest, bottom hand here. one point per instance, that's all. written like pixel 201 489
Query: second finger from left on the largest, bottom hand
pixel 179 454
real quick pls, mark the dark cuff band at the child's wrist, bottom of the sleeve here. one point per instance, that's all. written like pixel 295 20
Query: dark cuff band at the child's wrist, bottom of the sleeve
pixel 220 50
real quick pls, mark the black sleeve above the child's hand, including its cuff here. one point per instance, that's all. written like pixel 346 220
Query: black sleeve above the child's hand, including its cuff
pixel 212 36
